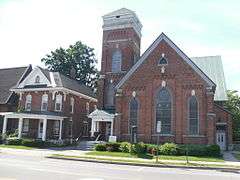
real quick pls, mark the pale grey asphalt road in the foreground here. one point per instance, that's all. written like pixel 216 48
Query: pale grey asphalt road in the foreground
pixel 31 167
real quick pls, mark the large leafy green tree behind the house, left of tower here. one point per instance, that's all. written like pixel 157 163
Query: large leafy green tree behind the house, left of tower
pixel 78 57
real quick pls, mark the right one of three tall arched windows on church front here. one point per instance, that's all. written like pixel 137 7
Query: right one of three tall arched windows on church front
pixel 193 116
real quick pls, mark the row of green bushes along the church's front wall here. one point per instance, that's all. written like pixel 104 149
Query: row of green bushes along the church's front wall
pixel 165 149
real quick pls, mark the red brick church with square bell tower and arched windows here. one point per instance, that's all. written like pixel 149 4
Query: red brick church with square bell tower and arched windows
pixel 161 87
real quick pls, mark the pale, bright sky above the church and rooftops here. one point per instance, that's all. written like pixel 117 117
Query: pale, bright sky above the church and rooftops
pixel 29 29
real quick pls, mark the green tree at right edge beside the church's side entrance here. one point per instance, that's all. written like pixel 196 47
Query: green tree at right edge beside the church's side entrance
pixel 233 105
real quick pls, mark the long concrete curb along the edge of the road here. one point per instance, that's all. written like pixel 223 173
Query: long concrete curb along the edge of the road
pixel 235 170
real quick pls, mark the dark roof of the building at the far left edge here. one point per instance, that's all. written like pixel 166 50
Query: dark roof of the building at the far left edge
pixel 10 77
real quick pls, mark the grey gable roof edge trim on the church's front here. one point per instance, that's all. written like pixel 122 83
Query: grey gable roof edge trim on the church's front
pixel 160 38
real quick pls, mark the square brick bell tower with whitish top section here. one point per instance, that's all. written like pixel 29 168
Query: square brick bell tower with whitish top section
pixel 120 51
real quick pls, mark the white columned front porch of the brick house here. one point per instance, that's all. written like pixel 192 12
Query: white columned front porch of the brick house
pixel 42 127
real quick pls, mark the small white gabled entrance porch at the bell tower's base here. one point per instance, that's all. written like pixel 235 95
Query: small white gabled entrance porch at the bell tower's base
pixel 98 116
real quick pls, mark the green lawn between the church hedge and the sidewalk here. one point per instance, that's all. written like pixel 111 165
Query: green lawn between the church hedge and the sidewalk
pixel 161 157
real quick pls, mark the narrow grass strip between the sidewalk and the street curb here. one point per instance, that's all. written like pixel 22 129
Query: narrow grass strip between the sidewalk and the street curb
pixel 139 161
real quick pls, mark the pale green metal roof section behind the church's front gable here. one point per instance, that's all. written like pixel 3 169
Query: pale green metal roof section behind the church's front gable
pixel 213 68
